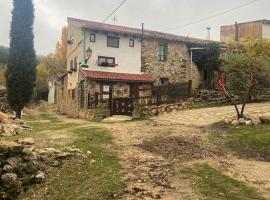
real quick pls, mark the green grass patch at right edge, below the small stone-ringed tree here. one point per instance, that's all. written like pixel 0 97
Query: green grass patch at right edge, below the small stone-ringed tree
pixel 246 141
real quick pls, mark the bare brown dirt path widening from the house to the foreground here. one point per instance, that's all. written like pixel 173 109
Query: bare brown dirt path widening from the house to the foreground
pixel 147 150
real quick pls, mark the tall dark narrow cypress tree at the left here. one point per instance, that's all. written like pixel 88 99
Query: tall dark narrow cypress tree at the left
pixel 21 68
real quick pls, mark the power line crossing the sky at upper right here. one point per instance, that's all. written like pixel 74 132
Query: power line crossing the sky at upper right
pixel 212 16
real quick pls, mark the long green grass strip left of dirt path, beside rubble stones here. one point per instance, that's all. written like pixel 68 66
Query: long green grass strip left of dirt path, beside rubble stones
pixel 94 177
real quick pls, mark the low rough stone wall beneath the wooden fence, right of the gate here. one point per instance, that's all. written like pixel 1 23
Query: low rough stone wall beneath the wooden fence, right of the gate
pixel 166 108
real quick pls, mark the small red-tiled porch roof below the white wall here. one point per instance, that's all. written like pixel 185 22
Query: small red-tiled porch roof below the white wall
pixel 113 76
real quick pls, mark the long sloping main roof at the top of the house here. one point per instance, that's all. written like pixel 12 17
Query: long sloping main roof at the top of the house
pixel 134 31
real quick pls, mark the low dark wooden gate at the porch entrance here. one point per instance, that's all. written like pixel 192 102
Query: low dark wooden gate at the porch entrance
pixel 122 106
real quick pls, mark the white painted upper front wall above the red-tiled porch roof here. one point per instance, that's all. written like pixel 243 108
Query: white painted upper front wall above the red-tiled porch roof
pixel 127 58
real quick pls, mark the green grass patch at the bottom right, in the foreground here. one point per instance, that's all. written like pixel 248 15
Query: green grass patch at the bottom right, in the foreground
pixel 212 184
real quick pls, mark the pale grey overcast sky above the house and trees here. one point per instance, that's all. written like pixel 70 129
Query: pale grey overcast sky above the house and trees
pixel 158 15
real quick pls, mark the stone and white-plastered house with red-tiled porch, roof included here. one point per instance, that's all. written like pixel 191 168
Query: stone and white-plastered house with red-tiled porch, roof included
pixel 113 66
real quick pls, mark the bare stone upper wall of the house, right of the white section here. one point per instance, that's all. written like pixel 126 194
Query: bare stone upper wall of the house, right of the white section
pixel 177 67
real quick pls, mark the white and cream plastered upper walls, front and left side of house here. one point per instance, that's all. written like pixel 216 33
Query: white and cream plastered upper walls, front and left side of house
pixel 127 58
